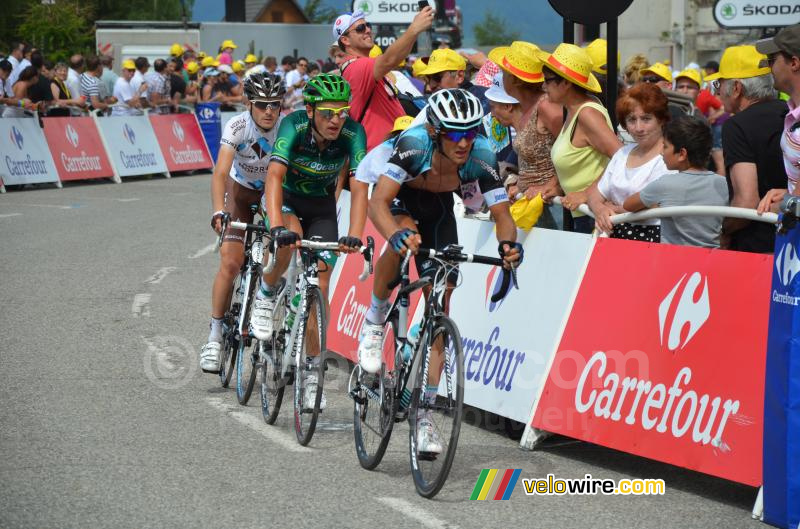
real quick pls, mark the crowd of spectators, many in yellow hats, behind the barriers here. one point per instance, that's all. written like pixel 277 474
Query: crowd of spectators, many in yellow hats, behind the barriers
pixel 724 134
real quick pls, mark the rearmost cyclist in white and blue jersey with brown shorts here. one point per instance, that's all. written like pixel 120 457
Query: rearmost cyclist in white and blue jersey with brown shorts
pixel 237 185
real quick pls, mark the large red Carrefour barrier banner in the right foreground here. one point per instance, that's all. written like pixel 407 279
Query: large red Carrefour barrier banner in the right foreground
pixel 663 356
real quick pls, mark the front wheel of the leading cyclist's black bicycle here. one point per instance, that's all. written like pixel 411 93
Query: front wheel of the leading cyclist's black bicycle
pixel 430 469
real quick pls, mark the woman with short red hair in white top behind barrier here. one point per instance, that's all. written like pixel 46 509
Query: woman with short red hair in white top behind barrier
pixel 643 112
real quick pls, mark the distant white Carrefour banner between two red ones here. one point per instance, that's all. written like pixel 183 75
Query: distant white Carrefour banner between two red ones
pixel 132 145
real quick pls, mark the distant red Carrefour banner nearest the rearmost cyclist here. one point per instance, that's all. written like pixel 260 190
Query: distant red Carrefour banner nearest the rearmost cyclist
pixel 181 142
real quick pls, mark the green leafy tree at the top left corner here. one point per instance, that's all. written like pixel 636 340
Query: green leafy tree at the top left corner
pixel 59 28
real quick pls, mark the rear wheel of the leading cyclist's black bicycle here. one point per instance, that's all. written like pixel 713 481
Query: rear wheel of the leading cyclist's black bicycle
pixel 374 406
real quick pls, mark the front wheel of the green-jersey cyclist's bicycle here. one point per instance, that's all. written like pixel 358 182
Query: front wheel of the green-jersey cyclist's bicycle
pixel 309 372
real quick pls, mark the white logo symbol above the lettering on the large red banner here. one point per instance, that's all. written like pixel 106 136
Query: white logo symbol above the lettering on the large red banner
pixel 686 304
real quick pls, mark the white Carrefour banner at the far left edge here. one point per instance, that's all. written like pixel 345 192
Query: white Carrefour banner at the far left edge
pixel 26 158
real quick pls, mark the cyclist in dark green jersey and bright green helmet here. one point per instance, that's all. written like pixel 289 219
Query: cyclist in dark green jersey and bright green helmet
pixel 314 147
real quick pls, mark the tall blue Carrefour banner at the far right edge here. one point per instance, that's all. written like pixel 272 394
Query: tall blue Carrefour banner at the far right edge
pixel 782 388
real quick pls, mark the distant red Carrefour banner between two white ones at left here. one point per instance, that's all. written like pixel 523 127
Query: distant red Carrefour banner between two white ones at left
pixel 77 148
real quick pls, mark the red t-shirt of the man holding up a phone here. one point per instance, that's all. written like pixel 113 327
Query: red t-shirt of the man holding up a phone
pixel 383 108
